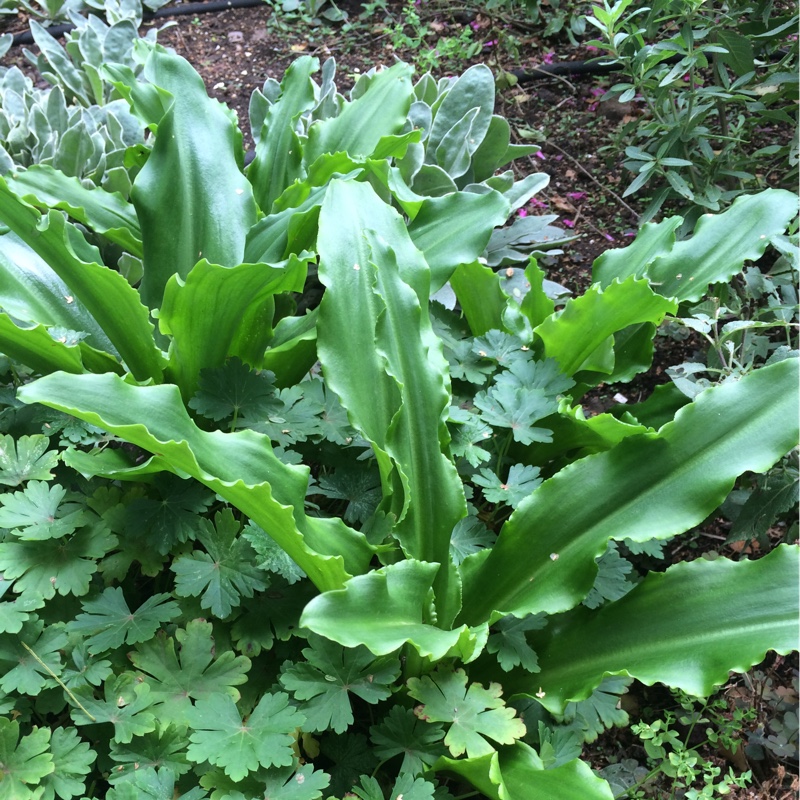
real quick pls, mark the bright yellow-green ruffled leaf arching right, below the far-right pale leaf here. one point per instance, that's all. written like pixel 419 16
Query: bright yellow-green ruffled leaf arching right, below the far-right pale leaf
pixel 577 337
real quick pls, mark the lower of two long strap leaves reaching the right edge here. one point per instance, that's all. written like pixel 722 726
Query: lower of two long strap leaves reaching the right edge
pixel 687 627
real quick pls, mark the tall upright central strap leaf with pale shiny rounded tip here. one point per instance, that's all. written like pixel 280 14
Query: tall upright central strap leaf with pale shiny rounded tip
pixel 380 355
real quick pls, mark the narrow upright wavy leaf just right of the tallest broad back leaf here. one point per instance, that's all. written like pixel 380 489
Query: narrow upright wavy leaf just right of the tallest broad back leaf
pixel 279 152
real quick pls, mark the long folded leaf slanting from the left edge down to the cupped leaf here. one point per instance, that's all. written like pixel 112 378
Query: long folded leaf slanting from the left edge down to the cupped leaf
pixel 104 293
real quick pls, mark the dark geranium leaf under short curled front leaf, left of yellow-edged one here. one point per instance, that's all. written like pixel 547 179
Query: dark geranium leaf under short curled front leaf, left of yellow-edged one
pixel 329 674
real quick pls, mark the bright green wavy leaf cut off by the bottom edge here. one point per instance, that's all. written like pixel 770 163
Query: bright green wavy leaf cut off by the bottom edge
pixel 517 773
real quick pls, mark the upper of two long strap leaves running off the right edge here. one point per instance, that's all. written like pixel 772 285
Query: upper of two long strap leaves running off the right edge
pixel 648 486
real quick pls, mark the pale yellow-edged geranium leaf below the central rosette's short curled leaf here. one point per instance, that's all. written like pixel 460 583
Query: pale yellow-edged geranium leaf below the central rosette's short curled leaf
pixel 475 713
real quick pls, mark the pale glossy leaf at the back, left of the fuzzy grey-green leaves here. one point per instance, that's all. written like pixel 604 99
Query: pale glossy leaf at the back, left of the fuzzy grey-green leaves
pixel 358 129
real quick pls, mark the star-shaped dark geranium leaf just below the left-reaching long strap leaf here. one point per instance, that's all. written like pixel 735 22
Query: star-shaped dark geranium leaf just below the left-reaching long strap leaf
pixel 225 572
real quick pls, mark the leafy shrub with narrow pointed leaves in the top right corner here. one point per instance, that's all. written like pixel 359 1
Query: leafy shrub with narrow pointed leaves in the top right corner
pixel 709 84
